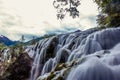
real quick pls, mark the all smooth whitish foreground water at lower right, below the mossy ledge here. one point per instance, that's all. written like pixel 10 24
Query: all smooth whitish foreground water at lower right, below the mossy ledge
pixel 94 68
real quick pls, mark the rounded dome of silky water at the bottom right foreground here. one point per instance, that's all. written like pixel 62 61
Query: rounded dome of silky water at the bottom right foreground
pixel 93 69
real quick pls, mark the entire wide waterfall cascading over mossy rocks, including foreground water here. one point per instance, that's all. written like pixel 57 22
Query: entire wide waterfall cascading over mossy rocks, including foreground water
pixel 87 55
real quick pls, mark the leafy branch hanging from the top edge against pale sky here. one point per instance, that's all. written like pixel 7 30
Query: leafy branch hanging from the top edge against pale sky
pixel 66 6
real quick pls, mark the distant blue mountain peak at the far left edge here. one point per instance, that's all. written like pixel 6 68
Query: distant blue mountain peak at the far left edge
pixel 6 40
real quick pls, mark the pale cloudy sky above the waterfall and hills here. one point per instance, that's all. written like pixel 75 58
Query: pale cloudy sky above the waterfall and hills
pixel 38 17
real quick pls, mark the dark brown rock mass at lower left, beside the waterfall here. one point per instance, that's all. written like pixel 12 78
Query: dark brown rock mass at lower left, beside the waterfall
pixel 20 69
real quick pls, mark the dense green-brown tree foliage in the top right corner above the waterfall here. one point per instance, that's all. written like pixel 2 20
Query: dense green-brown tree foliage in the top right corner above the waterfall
pixel 109 13
